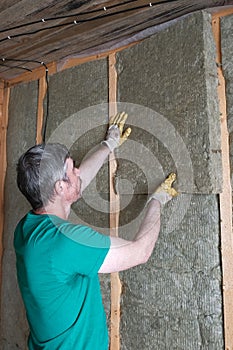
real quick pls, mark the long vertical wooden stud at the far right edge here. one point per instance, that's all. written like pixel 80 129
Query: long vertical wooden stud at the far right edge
pixel 225 200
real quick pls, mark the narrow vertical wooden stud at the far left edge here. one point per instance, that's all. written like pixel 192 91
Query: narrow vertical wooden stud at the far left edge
pixel 4 101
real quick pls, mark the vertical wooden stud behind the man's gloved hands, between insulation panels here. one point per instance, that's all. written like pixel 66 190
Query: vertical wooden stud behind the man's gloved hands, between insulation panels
pixel 114 215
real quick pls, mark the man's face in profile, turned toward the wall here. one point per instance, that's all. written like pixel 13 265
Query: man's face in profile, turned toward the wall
pixel 73 185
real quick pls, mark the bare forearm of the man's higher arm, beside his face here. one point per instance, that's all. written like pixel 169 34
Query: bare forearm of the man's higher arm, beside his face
pixel 90 165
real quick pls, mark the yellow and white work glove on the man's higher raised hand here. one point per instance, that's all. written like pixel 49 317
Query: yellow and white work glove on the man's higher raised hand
pixel 115 135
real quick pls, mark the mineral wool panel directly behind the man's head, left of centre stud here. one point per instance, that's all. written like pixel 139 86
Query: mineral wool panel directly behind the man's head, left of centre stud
pixel 78 117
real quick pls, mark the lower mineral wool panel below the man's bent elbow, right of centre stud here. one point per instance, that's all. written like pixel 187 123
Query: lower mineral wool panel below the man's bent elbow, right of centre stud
pixel 174 301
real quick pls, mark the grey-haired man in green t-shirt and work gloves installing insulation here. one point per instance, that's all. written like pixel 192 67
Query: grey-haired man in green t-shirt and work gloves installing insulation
pixel 58 262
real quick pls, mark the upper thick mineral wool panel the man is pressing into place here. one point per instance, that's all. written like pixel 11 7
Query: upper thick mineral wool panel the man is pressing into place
pixel 171 80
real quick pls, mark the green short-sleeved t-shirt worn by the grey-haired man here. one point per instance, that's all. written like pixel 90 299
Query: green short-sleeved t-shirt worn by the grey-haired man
pixel 57 268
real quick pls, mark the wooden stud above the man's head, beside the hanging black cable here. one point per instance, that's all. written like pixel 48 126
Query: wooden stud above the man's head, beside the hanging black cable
pixel 40 109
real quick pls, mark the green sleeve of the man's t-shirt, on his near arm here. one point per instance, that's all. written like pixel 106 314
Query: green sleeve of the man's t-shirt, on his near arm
pixel 79 249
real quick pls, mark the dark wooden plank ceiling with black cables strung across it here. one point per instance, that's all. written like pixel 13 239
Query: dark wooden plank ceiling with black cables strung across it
pixel 48 31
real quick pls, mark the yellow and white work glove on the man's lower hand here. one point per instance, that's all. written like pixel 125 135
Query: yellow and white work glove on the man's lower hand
pixel 165 192
